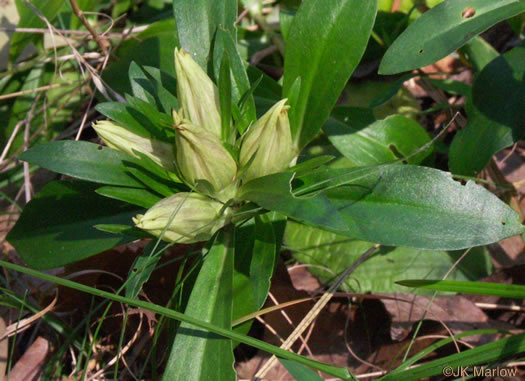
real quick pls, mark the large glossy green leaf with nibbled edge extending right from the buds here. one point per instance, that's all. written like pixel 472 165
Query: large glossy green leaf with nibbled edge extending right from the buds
pixel 406 205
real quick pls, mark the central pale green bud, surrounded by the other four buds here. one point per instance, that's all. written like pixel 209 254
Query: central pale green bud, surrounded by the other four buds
pixel 200 155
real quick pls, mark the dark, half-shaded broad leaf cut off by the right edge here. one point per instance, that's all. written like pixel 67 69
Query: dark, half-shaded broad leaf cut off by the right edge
pixel 496 115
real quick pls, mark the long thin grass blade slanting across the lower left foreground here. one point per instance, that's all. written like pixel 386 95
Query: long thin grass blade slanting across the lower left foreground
pixel 335 371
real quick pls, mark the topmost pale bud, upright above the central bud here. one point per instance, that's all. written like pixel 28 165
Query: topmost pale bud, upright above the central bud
pixel 198 95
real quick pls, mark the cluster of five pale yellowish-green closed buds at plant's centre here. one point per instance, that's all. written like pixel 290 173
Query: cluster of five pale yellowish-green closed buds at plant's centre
pixel 201 159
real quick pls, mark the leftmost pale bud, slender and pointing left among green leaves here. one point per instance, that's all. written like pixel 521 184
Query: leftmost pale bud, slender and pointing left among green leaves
pixel 122 139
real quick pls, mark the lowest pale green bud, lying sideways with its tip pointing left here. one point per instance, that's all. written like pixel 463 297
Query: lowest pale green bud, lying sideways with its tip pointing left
pixel 194 218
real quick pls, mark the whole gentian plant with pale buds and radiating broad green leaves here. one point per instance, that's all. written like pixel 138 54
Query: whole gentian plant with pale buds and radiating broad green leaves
pixel 222 160
